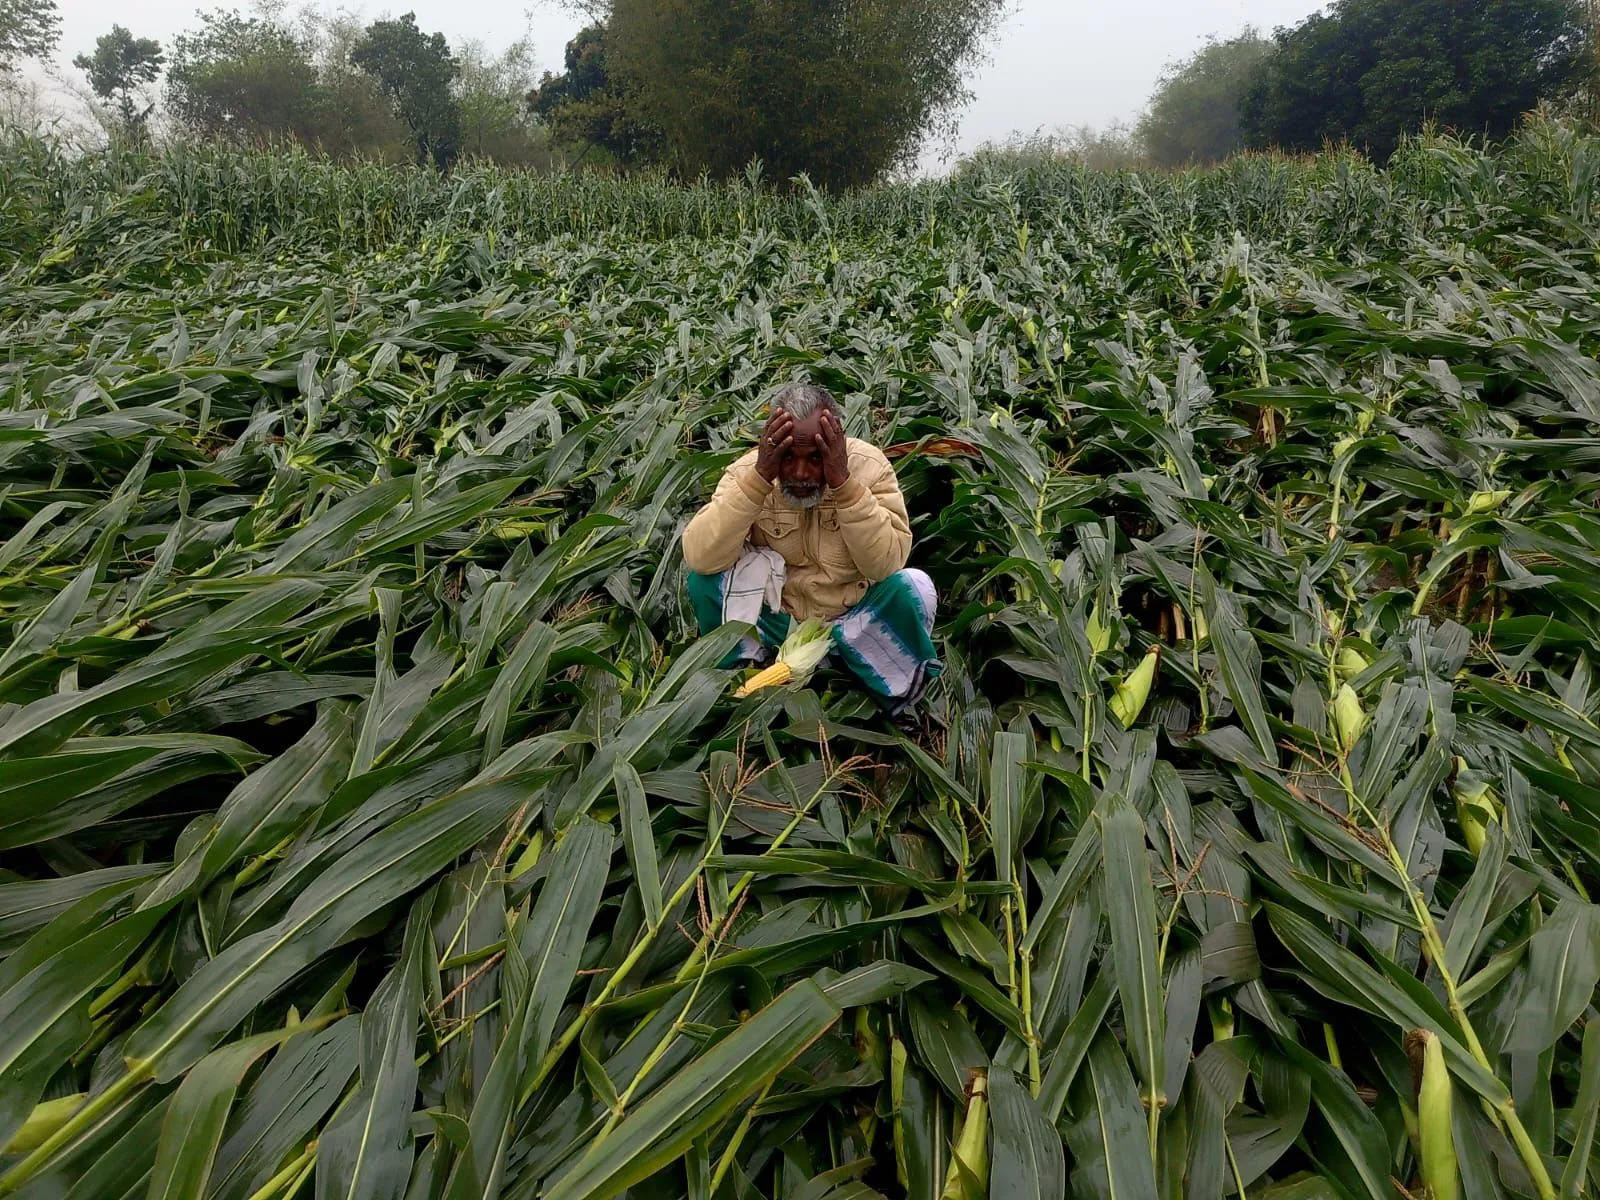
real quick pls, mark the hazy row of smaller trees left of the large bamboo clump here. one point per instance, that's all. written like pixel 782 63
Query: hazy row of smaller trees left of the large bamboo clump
pixel 385 90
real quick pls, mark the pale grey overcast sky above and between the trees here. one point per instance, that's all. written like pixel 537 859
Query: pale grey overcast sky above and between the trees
pixel 1055 63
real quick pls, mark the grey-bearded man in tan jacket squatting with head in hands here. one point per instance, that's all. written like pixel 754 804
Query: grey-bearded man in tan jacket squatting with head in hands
pixel 812 524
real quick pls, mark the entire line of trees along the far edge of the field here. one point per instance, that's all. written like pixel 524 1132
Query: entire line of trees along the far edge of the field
pixel 842 92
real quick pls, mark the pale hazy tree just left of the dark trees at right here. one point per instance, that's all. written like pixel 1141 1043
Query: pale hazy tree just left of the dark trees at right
pixel 1193 118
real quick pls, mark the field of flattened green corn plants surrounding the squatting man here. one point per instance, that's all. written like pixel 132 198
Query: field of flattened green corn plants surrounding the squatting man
pixel 374 823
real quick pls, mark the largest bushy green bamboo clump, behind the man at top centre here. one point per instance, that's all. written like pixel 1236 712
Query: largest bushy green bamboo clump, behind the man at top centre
pixel 842 90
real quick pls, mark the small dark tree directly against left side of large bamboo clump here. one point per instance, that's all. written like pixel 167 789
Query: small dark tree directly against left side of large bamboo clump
pixel 588 108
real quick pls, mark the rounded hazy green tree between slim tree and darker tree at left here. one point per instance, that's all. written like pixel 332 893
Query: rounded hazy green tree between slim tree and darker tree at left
pixel 246 79
